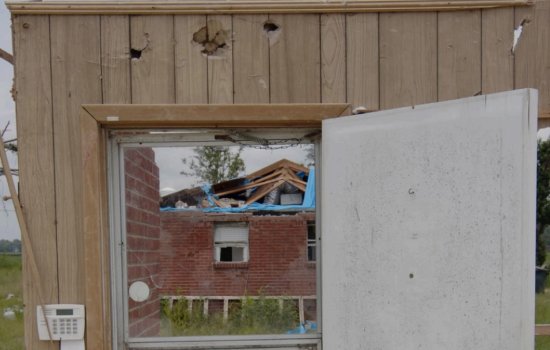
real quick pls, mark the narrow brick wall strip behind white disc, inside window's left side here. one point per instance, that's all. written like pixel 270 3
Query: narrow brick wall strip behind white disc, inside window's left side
pixel 143 237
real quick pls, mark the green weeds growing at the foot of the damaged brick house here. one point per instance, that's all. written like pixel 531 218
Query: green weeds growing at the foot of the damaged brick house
pixel 252 316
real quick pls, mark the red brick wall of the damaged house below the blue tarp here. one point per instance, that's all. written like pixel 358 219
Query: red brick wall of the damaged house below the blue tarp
pixel 277 265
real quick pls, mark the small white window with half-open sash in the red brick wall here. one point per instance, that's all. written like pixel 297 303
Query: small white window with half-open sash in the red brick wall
pixel 231 242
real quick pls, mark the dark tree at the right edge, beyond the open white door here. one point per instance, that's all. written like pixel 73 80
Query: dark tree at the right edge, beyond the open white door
pixel 543 196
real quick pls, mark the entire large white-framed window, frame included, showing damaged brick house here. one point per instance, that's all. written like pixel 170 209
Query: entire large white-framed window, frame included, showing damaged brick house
pixel 244 225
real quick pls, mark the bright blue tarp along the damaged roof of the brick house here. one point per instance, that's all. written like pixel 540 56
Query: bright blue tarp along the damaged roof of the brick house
pixel 307 204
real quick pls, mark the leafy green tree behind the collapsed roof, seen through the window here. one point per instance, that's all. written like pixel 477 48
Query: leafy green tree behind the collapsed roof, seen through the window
pixel 213 164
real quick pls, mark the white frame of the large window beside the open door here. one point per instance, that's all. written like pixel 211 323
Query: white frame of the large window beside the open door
pixel 119 293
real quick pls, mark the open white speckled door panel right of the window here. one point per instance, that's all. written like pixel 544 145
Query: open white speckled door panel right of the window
pixel 428 226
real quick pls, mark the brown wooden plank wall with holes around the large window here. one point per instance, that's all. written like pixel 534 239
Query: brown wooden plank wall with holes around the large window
pixel 375 60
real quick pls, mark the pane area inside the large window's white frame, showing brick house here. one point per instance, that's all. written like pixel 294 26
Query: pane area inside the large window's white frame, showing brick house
pixel 219 258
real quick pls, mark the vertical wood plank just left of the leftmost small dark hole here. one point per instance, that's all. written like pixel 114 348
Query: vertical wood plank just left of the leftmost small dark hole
pixel 115 59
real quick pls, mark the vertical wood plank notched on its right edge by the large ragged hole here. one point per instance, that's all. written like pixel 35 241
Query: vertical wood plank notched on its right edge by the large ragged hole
pixel 191 64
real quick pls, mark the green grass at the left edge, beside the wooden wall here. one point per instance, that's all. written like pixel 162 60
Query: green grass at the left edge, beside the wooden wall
pixel 11 331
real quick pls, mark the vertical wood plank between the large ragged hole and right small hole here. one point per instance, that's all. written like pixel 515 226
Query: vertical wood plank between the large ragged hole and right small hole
pixel 250 59
